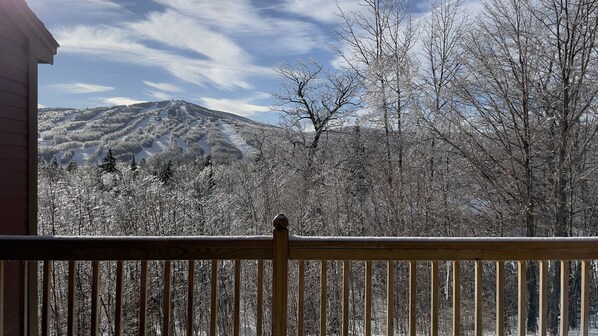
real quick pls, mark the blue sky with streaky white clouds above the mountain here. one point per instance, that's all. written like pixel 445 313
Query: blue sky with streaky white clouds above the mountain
pixel 216 53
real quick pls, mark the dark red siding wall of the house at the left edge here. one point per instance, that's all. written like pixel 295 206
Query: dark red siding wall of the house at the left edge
pixel 14 105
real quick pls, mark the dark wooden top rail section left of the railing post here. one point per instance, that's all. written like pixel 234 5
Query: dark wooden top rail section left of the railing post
pixel 134 248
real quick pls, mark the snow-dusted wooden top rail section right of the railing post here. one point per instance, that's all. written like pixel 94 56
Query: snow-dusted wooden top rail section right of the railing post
pixel 459 248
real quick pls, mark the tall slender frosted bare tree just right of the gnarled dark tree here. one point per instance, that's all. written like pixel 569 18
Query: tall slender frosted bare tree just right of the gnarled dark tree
pixel 376 42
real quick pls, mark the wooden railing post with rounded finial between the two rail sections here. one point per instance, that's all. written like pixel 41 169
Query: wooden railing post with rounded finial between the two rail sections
pixel 280 265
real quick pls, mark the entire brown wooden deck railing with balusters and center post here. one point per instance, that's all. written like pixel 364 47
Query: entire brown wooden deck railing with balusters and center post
pixel 280 251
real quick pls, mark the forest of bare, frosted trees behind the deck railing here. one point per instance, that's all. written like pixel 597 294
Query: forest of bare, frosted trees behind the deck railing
pixel 448 125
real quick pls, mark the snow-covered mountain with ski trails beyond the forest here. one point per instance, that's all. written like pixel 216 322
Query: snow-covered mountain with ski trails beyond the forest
pixel 170 128
